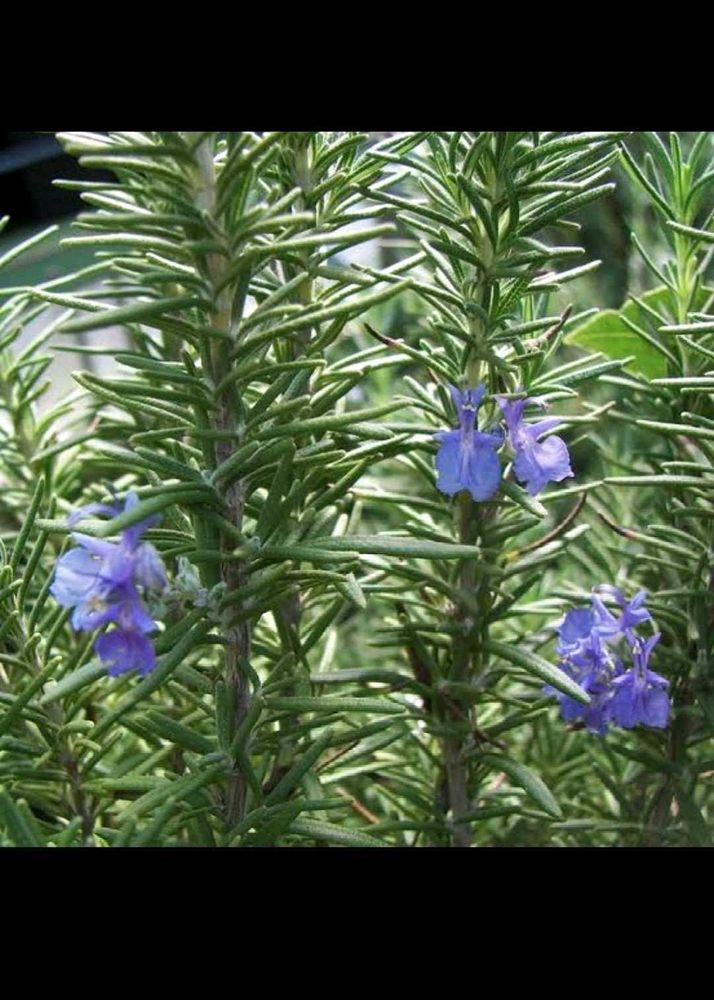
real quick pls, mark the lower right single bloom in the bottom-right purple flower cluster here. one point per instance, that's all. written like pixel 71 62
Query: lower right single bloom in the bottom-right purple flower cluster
pixel 640 695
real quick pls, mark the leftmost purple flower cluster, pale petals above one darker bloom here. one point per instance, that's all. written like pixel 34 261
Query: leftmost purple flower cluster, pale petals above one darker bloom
pixel 100 580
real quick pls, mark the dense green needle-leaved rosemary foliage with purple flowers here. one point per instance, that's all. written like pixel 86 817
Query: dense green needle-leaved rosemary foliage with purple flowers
pixel 379 513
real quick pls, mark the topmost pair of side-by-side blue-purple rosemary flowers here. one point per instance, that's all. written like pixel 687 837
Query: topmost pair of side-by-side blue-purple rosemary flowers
pixel 467 458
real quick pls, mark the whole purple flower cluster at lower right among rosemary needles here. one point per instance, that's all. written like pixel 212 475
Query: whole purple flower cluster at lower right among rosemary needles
pixel 587 643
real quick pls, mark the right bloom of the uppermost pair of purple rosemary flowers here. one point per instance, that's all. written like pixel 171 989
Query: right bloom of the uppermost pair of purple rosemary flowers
pixel 536 462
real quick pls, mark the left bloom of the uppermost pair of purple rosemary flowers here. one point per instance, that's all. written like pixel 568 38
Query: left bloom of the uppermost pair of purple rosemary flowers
pixel 467 458
